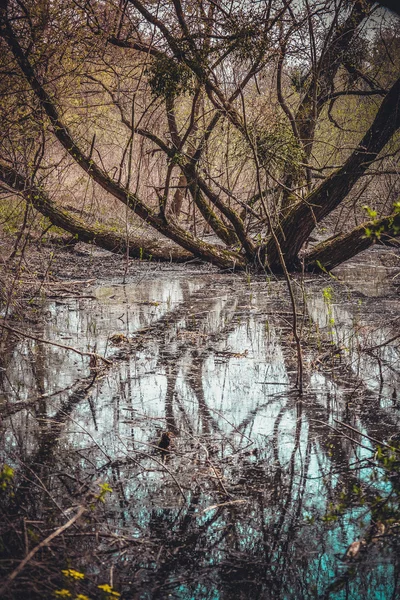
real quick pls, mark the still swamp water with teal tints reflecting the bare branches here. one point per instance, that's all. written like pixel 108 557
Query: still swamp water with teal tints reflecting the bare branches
pixel 261 493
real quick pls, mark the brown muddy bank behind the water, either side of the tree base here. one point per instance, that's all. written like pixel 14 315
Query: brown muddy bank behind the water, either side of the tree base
pixel 51 262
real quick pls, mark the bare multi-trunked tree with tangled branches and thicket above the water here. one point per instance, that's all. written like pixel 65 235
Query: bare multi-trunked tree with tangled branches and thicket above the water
pixel 235 113
